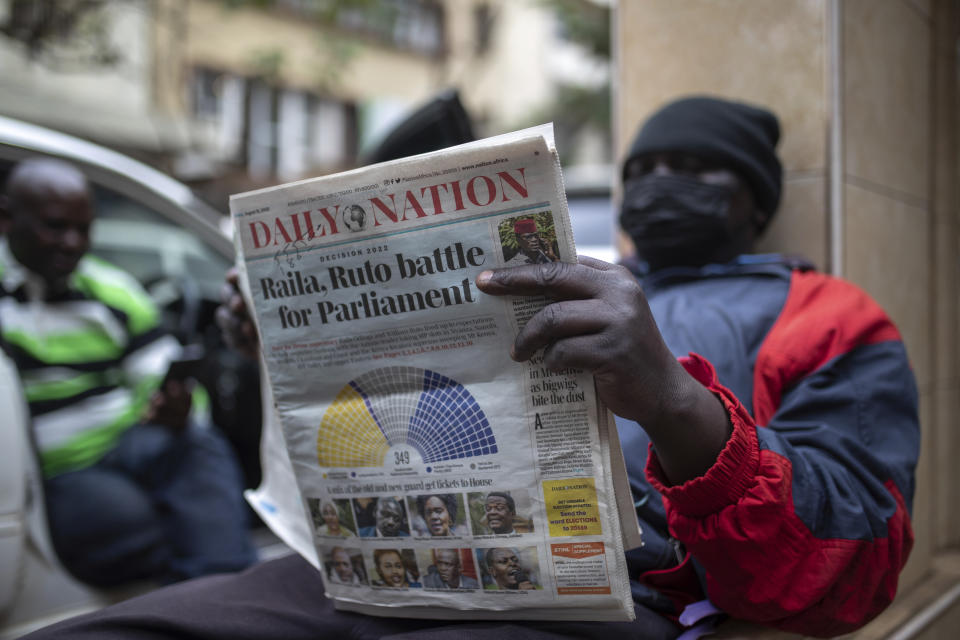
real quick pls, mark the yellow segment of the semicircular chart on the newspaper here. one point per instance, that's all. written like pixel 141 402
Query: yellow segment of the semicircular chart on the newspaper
pixel 349 436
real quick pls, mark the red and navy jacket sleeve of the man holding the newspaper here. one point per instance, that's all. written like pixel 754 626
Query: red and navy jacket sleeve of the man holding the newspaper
pixel 803 523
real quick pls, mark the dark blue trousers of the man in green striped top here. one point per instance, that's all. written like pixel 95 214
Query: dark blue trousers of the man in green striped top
pixel 160 505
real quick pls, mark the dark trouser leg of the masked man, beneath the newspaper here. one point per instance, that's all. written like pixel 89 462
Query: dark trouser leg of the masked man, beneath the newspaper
pixel 284 599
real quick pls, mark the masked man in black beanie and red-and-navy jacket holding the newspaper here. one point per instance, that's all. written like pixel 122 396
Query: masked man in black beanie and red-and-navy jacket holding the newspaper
pixel 767 414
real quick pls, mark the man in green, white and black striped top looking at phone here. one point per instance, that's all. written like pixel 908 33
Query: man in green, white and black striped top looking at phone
pixel 134 490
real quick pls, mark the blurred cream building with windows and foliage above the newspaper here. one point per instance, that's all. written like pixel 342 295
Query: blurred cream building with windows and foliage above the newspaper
pixel 229 95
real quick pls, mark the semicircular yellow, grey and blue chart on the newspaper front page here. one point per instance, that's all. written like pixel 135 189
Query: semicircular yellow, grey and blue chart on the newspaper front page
pixel 423 409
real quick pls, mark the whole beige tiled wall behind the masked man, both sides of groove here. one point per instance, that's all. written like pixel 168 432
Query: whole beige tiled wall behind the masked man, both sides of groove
pixel 900 234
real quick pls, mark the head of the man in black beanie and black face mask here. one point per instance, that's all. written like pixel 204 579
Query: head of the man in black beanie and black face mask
pixel 701 182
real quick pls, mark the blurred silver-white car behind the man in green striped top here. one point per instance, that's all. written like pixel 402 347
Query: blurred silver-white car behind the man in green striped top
pixel 178 247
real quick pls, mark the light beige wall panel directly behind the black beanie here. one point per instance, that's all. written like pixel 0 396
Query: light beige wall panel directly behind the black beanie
pixel 770 53
